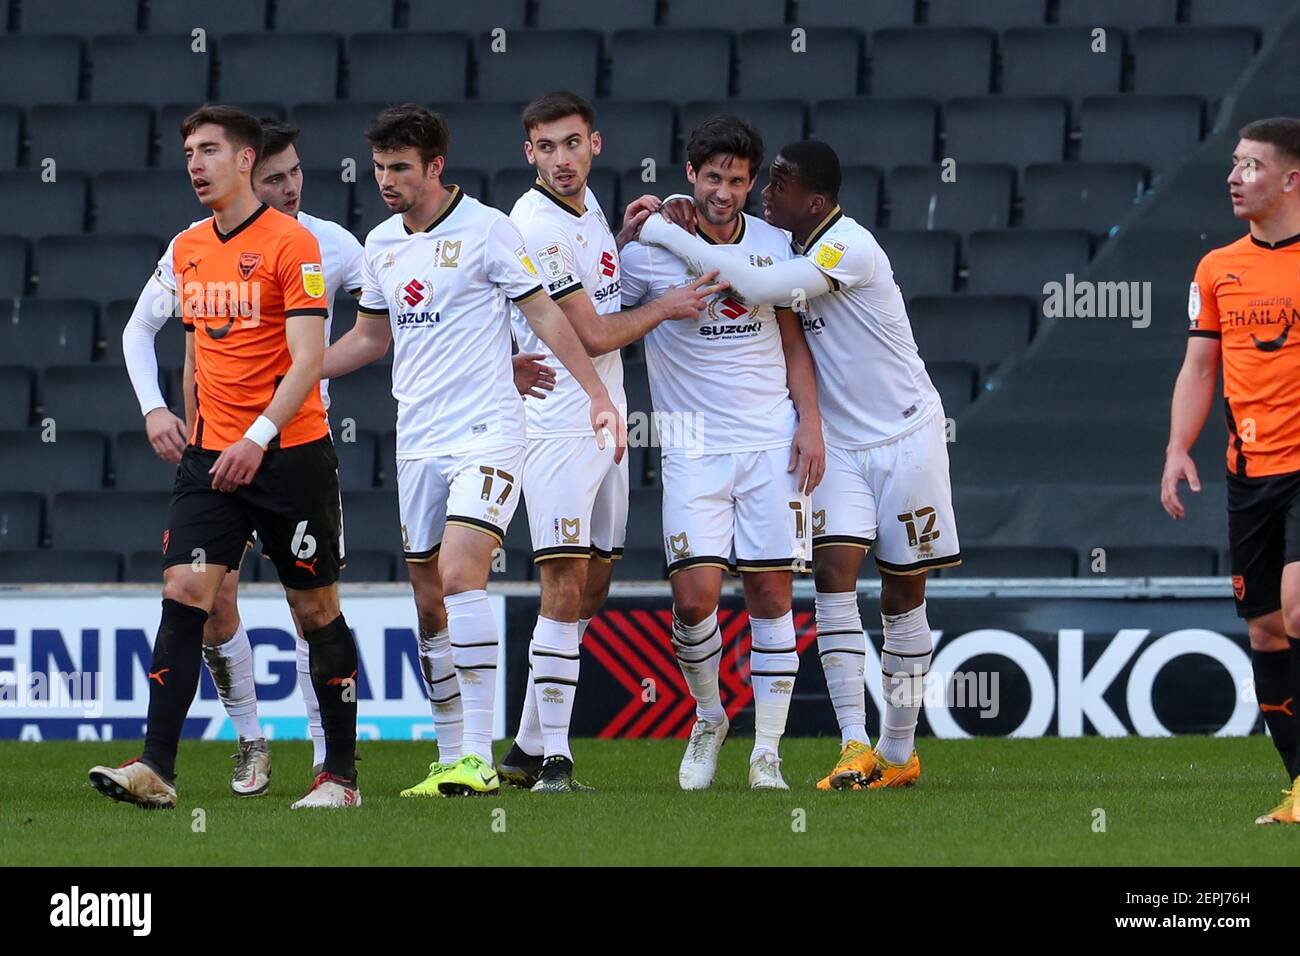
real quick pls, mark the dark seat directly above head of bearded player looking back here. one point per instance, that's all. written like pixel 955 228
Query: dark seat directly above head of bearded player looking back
pixel 539 60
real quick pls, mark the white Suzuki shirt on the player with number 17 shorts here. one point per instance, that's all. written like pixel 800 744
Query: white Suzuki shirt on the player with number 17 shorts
pixel 448 293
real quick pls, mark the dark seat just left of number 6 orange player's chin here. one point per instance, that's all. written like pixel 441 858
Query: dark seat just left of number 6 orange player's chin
pixel 146 202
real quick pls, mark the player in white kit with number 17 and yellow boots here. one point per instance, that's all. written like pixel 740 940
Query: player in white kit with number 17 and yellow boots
pixel 439 282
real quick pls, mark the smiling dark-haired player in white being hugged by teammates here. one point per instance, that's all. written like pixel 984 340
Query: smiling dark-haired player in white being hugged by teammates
pixel 736 406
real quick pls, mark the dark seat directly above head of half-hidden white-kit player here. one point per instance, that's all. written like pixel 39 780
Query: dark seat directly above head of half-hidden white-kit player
pixel 306 68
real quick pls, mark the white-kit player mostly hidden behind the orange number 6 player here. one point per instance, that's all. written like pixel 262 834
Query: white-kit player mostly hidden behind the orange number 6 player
pixel 278 181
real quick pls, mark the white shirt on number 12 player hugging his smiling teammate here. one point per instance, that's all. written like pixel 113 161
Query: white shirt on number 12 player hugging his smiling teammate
pixel 873 386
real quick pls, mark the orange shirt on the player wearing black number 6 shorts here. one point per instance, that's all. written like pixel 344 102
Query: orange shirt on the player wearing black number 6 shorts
pixel 237 291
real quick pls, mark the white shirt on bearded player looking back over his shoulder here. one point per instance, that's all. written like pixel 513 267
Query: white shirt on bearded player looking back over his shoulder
pixel 575 254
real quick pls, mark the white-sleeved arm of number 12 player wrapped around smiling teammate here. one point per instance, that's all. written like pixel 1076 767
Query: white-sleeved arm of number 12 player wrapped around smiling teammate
pixel 769 285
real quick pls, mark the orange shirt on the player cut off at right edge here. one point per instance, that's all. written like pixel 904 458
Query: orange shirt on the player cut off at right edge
pixel 1247 295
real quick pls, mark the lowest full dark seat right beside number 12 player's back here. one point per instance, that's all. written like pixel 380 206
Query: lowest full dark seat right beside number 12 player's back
pixel 982 330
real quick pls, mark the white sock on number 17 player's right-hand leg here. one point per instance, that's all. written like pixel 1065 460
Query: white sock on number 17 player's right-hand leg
pixel 474 648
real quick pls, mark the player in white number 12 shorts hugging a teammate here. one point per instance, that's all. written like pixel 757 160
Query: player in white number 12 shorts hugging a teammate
pixel 887 481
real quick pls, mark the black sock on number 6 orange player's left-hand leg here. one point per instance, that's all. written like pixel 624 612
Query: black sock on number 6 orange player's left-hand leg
pixel 174 681
